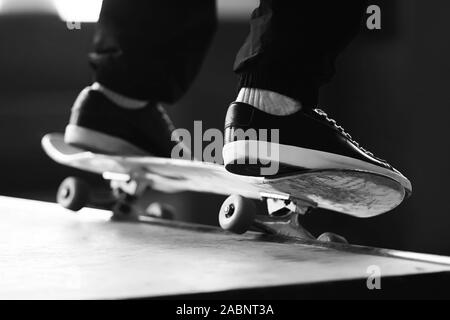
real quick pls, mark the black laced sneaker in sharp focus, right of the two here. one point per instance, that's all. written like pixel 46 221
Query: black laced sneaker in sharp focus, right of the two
pixel 307 140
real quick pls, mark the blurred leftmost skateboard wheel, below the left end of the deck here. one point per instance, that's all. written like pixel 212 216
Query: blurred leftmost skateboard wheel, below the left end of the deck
pixel 73 194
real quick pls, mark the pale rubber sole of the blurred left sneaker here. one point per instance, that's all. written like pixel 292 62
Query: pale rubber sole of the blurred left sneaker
pixel 100 142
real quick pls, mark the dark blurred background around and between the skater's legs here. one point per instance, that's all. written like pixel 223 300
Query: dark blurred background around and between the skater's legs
pixel 391 91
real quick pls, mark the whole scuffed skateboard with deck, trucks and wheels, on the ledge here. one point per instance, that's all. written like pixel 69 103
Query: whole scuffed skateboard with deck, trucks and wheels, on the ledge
pixel 272 205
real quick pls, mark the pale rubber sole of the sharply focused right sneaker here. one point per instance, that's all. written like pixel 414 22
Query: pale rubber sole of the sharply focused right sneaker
pixel 252 151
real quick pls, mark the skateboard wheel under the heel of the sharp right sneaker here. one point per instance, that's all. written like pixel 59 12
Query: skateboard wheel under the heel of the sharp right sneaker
pixel 237 214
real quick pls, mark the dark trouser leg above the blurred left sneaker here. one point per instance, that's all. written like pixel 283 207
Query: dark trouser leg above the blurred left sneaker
pixel 152 49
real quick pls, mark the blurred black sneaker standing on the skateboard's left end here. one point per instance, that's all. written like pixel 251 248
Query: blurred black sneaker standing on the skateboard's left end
pixel 98 125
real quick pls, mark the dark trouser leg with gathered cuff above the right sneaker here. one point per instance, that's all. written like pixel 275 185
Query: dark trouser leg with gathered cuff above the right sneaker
pixel 292 45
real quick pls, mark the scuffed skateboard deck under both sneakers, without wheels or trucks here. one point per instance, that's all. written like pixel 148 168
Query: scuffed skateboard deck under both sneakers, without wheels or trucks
pixel 356 193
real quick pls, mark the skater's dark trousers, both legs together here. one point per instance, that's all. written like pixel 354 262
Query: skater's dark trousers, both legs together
pixel 153 49
